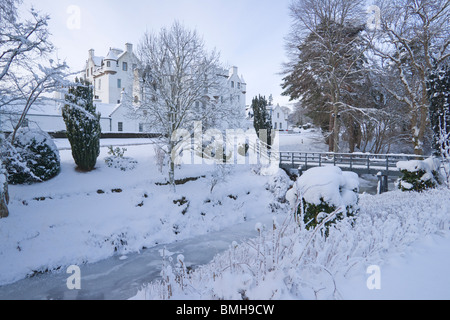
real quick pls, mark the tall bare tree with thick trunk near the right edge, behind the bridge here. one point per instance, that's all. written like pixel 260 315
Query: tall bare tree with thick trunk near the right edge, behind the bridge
pixel 414 35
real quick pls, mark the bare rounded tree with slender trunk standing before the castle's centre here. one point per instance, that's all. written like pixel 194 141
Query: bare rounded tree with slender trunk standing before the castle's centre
pixel 181 84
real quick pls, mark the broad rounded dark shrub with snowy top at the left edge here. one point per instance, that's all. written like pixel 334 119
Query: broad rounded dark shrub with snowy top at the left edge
pixel 32 157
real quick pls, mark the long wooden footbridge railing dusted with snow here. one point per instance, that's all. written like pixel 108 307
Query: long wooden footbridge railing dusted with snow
pixel 361 162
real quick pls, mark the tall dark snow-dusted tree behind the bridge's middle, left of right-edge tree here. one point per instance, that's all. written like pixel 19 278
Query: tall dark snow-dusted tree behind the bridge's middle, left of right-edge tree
pixel 326 53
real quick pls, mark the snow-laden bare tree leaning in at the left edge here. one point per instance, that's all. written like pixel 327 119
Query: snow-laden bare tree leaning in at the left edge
pixel 26 70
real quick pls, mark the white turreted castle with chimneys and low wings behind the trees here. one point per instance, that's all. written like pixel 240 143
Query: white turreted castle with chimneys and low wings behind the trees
pixel 111 76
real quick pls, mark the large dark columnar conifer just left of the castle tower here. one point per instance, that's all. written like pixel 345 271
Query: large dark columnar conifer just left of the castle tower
pixel 83 125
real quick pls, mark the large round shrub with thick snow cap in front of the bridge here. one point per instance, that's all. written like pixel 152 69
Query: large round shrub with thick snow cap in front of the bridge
pixel 324 191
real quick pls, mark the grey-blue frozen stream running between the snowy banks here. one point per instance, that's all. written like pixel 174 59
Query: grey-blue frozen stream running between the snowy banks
pixel 116 279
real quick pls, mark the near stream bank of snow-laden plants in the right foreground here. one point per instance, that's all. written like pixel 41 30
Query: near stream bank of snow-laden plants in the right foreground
pixel 288 263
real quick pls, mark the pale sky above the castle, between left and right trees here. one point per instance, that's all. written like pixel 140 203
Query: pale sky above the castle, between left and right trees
pixel 248 33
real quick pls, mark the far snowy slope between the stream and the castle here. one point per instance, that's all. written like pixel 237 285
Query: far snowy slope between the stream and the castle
pixel 79 218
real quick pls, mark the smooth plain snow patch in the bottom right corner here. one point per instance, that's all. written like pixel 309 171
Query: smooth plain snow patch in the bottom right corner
pixel 418 273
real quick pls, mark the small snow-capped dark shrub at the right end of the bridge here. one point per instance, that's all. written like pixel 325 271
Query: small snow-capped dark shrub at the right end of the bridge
pixel 419 175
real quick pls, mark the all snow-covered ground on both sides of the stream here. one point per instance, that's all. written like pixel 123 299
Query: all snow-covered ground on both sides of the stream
pixel 81 218
